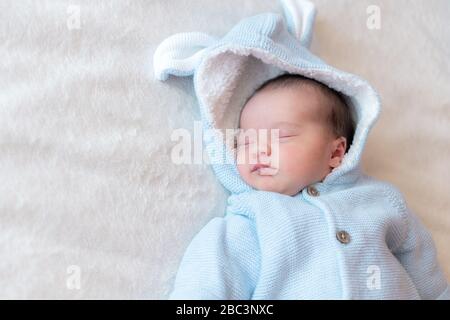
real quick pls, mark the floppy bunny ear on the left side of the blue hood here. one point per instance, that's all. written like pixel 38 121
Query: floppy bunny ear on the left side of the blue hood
pixel 180 54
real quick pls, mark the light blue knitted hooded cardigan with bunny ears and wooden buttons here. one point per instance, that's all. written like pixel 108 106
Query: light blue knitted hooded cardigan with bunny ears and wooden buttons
pixel 348 237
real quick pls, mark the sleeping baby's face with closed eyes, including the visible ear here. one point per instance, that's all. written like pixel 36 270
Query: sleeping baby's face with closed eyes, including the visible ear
pixel 307 149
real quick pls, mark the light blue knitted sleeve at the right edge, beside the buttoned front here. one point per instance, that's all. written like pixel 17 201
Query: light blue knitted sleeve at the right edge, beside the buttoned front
pixel 417 254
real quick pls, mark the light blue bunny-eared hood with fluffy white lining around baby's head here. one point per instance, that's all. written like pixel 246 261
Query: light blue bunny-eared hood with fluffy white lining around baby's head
pixel 228 70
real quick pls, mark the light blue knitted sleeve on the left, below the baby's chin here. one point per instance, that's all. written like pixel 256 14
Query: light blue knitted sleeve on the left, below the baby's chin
pixel 221 262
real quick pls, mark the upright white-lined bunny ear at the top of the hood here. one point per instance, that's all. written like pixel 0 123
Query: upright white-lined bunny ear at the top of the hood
pixel 300 15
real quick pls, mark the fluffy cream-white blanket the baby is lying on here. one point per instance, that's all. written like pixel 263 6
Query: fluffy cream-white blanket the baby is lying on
pixel 85 171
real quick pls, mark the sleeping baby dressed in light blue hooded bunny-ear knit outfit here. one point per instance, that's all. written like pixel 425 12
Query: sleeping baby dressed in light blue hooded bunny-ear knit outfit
pixel 302 220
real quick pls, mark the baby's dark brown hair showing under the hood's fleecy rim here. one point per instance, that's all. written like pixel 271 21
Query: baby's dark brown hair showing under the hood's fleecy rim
pixel 340 116
